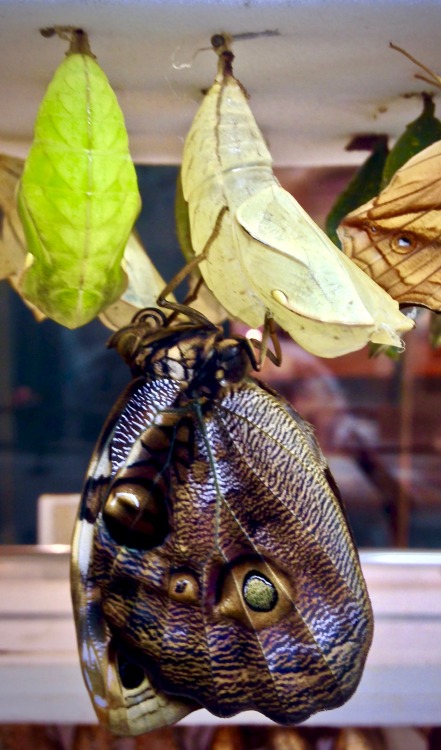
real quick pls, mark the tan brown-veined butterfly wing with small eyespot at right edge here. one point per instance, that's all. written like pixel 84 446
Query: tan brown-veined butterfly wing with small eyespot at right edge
pixel 396 237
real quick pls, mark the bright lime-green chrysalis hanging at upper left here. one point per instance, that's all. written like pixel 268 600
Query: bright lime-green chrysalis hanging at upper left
pixel 78 196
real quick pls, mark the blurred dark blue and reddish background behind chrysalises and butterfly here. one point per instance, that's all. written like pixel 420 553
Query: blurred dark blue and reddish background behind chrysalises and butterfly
pixel 377 420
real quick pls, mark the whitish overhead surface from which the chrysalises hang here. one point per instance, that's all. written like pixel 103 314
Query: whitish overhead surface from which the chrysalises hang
pixel 328 74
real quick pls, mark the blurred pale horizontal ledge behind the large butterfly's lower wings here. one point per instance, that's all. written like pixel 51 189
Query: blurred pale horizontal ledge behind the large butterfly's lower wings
pixel 40 679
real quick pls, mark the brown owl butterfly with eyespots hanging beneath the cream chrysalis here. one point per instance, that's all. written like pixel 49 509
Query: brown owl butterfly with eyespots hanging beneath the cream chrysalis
pixel 212 564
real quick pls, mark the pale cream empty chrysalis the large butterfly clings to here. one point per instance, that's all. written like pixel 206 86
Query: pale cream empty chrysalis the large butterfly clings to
pixel 263 256
